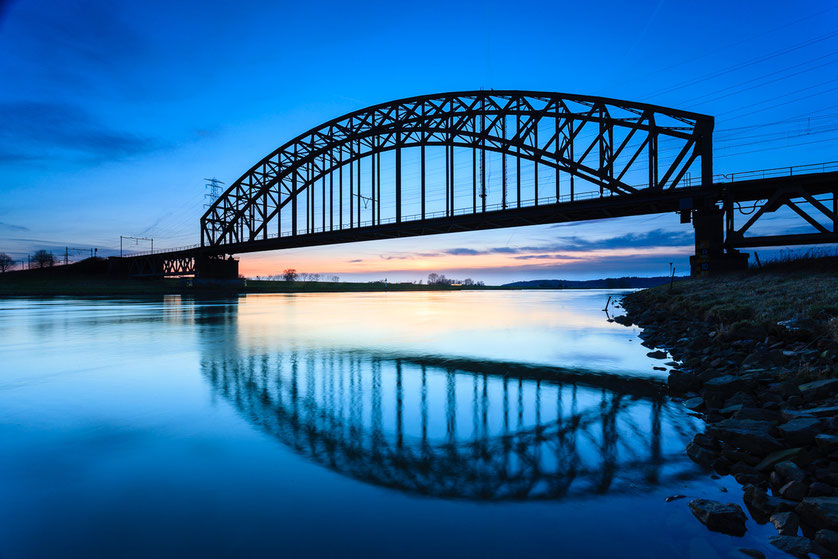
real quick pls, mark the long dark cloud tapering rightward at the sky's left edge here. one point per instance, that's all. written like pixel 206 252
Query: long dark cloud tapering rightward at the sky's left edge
pixel 41 130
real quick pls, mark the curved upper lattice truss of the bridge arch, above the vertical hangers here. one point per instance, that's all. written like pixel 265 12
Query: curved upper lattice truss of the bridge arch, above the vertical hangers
pixel 473 120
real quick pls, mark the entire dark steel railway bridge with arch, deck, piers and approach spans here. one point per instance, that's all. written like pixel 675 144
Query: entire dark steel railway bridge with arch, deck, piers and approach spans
pixel 488 159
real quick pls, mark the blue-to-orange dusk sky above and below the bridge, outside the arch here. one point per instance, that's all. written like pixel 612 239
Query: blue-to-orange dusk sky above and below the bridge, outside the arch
pixel 112 114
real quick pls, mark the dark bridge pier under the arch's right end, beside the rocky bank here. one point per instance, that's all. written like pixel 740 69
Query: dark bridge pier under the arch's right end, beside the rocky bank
pixel 710 257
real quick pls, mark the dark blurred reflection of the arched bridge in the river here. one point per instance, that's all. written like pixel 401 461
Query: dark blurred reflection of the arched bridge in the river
pixel 458 428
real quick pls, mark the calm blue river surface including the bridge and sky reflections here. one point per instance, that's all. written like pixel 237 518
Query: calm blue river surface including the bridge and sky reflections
pixel 473 424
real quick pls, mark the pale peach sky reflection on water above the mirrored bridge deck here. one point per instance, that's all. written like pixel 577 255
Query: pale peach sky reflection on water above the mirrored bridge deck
pixel 538 327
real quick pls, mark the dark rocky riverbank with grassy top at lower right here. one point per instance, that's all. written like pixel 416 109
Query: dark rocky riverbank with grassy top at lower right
pixel 756 356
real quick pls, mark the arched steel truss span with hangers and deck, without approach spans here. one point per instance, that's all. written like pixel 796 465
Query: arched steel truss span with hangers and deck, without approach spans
pixel 328 181
